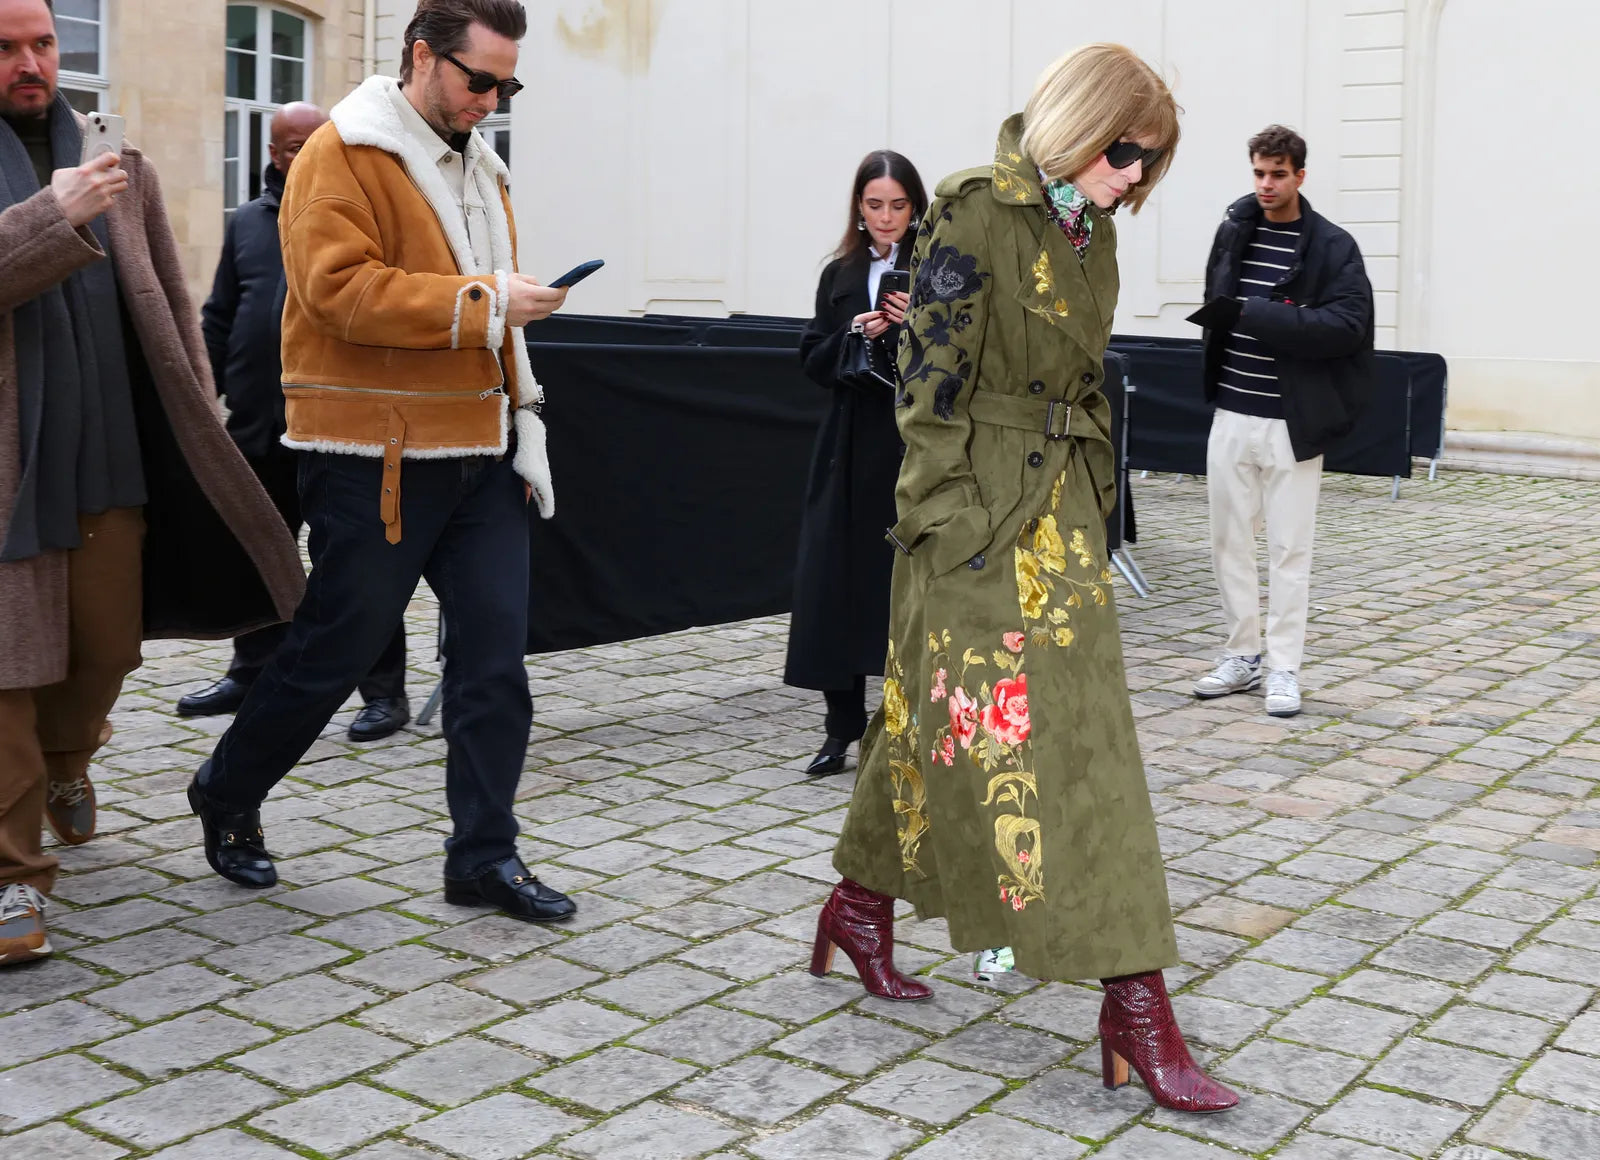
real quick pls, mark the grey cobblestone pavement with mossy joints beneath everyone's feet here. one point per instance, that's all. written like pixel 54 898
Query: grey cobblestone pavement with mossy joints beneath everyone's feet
pixel 1386 906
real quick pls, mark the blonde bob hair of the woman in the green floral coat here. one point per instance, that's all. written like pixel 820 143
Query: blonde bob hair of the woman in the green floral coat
pixel 1092 98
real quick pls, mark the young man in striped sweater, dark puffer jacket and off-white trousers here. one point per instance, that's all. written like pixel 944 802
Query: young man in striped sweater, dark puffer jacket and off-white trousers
pixel 1289 362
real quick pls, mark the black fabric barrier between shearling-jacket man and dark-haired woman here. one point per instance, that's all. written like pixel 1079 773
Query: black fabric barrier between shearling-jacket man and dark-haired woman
pixel 679 476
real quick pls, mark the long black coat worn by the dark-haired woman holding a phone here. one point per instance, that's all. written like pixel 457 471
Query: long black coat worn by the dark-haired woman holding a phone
pixel 842 578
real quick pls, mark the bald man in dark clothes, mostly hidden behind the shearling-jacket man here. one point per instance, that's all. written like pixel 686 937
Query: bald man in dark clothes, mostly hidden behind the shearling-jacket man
pixel 242 322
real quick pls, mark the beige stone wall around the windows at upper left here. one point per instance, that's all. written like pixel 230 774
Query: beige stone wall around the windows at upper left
pixel 164 68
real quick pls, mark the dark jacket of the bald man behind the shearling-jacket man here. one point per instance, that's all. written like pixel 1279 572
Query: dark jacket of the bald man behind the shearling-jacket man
pixel 242 322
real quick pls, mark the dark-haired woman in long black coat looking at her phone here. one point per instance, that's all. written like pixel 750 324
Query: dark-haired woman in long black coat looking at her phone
pixel 841 617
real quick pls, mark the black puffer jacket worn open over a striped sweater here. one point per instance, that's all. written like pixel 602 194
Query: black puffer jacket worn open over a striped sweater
pixel 1318 324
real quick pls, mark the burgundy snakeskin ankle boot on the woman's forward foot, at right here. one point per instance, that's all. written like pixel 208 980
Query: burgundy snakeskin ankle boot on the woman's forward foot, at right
pixel 1138 1028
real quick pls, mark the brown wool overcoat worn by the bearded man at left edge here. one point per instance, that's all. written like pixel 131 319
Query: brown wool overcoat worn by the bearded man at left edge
pixel 218 558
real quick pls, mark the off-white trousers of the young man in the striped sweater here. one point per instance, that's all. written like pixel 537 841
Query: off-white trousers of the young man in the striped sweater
pixel 1252 476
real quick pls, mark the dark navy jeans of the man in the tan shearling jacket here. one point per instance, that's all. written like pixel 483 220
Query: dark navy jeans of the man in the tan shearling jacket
pixel 465 529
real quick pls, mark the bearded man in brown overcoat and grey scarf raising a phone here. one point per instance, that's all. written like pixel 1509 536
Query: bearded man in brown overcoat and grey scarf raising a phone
pixel 126 511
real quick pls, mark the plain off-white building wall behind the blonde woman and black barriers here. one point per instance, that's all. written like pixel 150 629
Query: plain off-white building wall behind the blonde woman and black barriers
pixel 705 150
